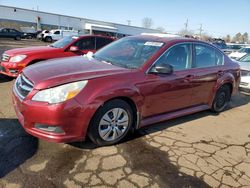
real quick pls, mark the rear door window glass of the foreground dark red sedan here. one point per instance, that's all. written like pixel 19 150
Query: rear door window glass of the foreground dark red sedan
pixel 206 56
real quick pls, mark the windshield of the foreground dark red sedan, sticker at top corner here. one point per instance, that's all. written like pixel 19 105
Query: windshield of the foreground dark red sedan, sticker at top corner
pixel 128 52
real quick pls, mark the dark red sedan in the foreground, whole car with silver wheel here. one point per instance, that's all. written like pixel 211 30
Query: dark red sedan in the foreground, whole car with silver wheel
pixel 131 83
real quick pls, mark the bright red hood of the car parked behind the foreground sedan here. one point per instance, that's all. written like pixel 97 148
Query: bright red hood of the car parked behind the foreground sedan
pixel 31 50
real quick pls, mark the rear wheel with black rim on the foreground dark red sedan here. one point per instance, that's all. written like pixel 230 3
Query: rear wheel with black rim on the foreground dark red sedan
pixel 222 98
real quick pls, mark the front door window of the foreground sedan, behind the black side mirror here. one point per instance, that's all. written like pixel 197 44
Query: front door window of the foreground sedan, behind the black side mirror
pixel 178 56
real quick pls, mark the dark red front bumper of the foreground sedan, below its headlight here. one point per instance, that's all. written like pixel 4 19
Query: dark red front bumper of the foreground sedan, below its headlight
pixel 69 116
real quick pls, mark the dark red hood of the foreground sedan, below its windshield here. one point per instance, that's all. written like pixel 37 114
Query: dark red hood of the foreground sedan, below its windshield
pixel 60 71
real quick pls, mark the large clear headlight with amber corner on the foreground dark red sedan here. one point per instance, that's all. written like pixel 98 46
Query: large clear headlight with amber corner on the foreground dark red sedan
pixel 60 93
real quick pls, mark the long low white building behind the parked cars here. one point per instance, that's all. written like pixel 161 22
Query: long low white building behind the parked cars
pixel 15 17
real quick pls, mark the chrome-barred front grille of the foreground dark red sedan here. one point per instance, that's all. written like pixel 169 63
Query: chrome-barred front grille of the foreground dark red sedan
pixel 23 86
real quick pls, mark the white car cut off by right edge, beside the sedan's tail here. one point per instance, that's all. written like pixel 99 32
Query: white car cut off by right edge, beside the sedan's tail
pixel 245 73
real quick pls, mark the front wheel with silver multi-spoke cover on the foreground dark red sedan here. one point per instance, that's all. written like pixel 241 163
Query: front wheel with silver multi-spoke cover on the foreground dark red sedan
pixel 104 128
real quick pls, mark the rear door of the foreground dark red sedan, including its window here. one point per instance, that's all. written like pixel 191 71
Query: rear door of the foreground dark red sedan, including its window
pixel 207 68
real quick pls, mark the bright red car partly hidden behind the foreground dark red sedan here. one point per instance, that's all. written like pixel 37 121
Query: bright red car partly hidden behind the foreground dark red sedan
pixel 13 61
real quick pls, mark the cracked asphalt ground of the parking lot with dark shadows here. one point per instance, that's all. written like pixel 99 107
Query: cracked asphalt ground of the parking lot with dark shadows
pixel 199 150
